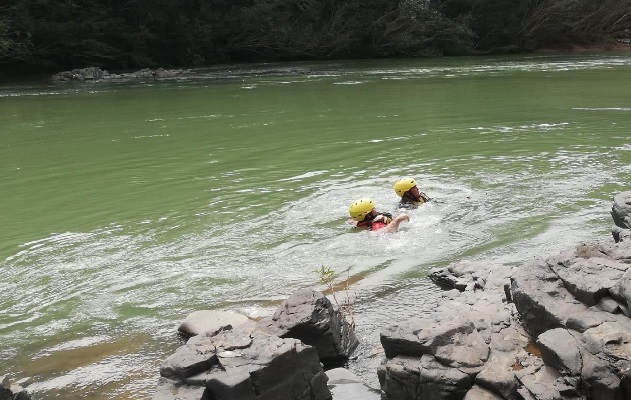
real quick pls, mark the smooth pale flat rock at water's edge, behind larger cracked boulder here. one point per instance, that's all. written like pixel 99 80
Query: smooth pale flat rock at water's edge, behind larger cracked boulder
pixel 210 322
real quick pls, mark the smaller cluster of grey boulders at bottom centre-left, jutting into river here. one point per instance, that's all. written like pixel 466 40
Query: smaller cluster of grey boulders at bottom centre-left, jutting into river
pixel 276 358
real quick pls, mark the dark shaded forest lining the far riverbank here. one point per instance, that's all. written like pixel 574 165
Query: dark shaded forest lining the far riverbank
pixel 45 35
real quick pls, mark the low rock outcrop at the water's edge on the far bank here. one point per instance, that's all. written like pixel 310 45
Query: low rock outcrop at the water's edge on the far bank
pixel 96 73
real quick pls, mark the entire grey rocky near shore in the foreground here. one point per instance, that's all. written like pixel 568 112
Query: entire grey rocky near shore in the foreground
pixel 556 327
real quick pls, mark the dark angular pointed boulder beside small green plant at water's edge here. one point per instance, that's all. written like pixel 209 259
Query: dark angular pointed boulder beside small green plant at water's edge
pixel 310 317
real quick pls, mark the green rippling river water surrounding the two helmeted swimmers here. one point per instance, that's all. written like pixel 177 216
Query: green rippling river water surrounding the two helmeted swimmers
pixel 124 206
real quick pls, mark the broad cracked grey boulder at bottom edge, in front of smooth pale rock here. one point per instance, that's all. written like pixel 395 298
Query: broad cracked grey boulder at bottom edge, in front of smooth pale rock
pixel 236 365
